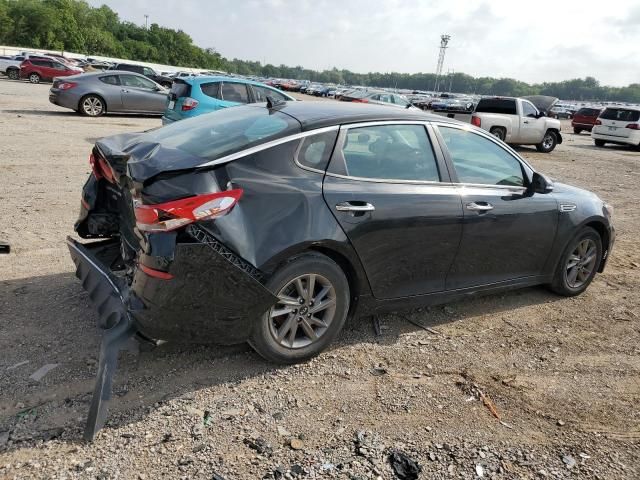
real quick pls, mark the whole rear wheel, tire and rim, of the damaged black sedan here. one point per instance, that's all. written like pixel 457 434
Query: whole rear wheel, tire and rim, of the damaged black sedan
pixel 285 333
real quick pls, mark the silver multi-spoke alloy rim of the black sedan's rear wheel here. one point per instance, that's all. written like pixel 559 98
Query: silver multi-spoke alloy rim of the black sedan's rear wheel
pixel 305 309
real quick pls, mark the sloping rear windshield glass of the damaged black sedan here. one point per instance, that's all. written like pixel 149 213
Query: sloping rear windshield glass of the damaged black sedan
pixel 225 131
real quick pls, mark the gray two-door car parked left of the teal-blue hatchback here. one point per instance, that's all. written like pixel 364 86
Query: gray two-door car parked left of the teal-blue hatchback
pixel 113 91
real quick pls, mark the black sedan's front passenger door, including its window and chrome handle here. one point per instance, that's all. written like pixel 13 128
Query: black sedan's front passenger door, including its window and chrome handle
pixel 508 231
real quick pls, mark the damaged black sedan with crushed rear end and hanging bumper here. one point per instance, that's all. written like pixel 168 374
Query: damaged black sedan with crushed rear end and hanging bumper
pixel 274 224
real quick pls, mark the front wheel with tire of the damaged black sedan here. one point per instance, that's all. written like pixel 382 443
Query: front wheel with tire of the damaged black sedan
pixel 586 244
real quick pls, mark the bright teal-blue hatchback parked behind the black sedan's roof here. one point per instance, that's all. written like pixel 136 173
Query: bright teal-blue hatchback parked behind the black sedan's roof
pixel 193 96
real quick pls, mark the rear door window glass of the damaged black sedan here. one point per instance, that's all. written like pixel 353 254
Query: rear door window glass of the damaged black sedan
pixel 395 152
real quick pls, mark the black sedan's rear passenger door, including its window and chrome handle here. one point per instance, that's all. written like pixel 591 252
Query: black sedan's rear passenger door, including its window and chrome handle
pixel 389 189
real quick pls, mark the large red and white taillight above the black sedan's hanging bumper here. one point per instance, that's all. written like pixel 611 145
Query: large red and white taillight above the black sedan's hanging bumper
pixel 164 217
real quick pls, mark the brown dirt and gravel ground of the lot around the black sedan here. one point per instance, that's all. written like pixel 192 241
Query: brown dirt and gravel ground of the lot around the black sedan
pixel 562 374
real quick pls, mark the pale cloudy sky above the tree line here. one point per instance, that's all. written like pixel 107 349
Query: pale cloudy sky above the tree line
pixel 533 41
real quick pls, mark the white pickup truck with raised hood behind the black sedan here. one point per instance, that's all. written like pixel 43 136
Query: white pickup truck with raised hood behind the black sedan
pixel 516 121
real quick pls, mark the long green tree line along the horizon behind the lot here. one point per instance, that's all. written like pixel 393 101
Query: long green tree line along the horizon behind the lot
pixel 75 26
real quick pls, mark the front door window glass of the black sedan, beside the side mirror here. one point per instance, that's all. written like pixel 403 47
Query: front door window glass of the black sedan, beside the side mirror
pixel 479 160
